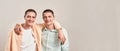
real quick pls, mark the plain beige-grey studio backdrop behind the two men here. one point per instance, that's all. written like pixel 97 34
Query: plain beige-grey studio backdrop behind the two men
pixel 93 25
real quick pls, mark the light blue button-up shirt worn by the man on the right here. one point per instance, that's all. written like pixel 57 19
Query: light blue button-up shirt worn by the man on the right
pixel 50 40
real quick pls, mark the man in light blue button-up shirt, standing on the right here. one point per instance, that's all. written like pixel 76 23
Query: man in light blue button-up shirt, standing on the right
pixel 50 39
